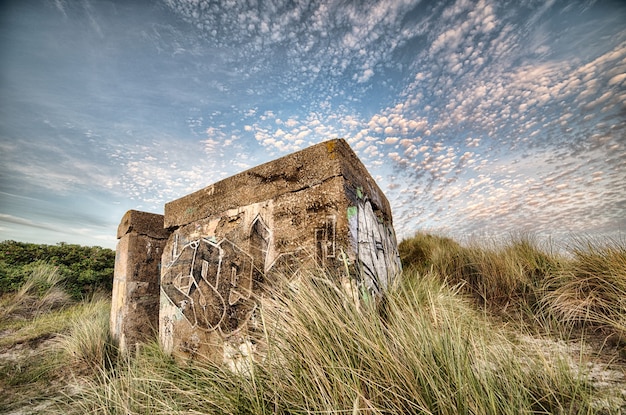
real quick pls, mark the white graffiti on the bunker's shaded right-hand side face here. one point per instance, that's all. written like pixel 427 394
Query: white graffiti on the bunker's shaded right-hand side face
pixel 378 260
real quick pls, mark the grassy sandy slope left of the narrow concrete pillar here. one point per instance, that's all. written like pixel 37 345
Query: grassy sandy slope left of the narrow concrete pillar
pixel 47 338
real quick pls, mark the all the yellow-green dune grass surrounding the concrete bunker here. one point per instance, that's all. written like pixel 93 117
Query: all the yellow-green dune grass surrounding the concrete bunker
pixel 432 346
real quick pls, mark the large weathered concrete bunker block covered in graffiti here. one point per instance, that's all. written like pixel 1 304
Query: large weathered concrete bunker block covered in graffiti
pixel 319 205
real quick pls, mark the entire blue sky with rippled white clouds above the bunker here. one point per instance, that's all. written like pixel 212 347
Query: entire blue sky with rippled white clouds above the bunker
pixel 476 118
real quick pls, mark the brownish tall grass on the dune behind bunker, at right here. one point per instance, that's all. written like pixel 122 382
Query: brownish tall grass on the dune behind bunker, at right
pixel 582 286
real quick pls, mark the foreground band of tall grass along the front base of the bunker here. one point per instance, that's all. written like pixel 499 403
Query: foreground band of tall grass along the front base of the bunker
pixel 423 350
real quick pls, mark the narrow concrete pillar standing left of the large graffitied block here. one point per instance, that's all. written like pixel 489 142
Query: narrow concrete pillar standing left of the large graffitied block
pixel 135 301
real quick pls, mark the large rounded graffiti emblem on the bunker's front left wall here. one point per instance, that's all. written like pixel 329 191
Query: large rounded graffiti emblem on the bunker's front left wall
pixel 211 284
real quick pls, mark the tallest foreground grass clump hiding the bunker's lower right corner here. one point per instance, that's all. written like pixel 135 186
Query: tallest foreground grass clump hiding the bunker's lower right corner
pixel 431 353
